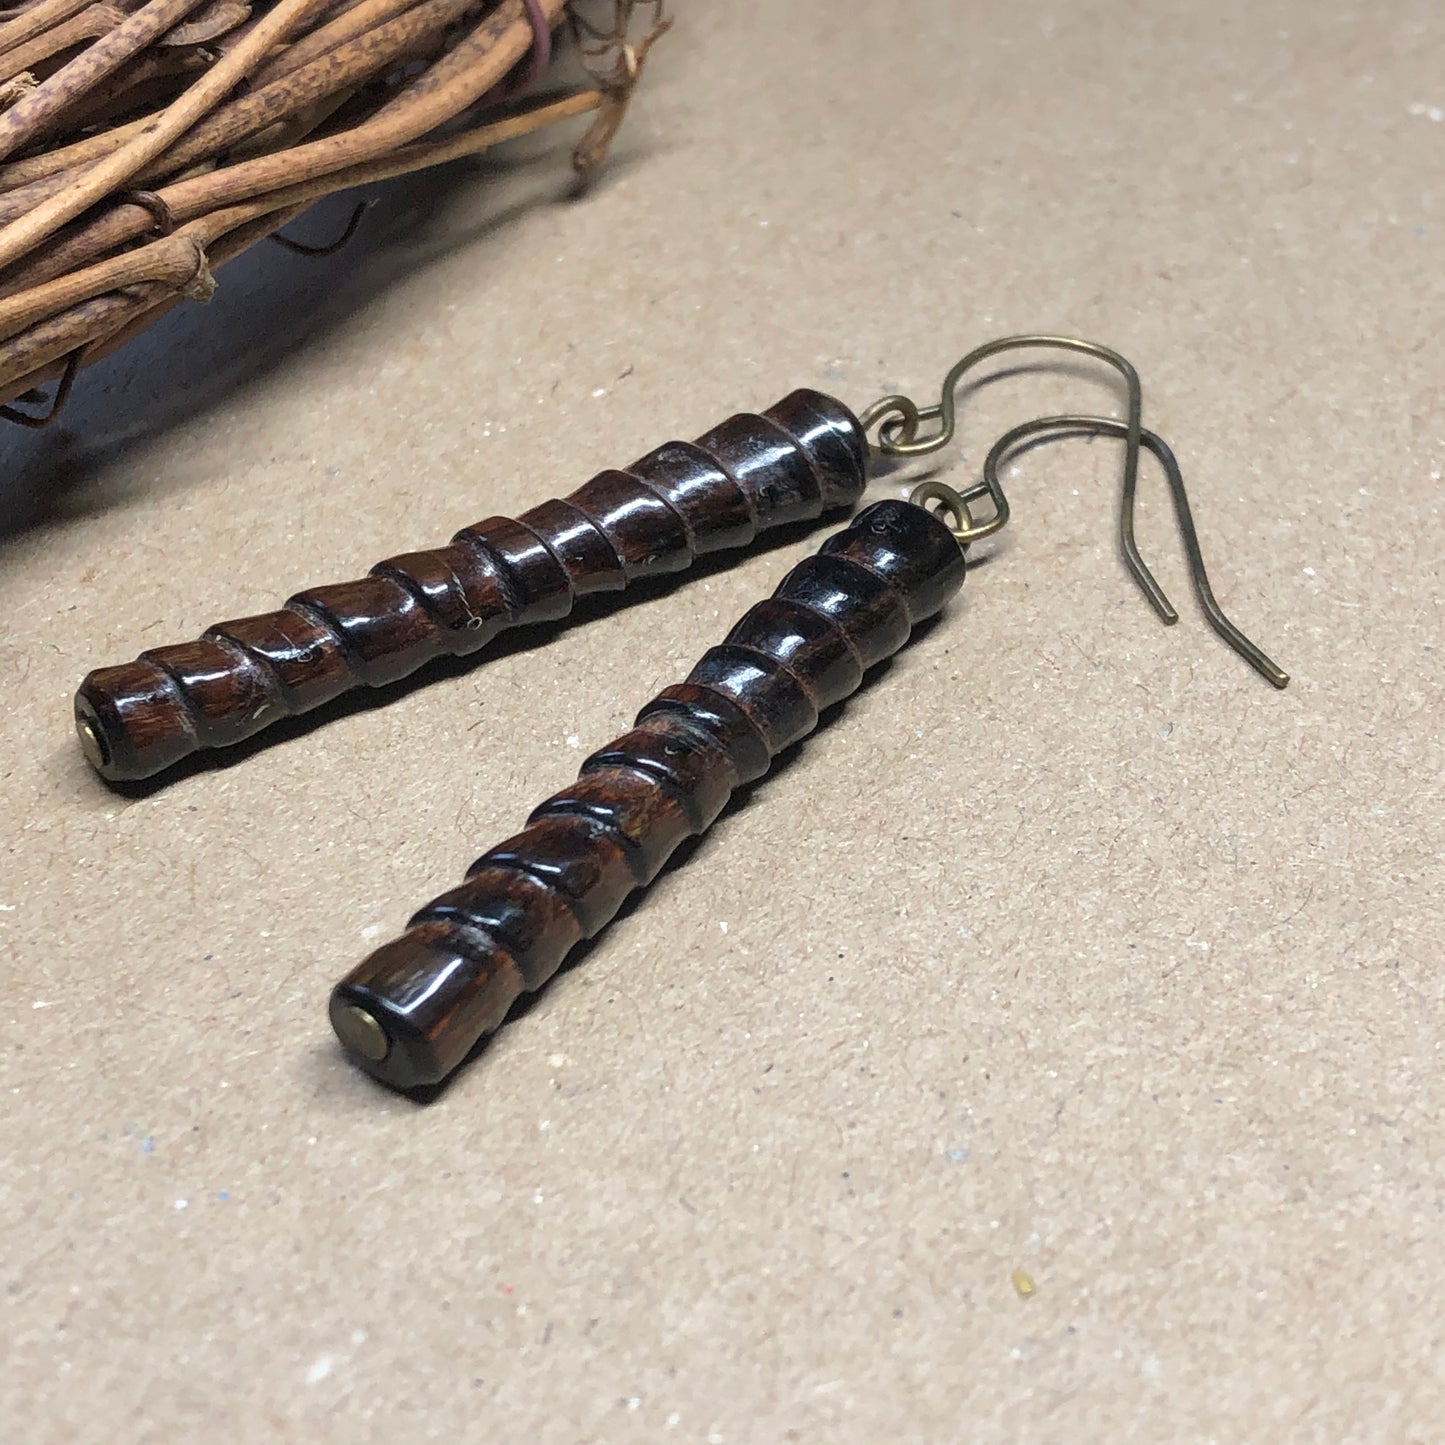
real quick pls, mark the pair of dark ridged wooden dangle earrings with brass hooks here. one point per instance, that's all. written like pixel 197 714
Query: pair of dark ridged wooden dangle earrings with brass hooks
pixel 417 1008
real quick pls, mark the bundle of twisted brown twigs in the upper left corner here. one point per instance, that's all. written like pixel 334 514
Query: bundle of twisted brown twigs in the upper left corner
pixel 145 142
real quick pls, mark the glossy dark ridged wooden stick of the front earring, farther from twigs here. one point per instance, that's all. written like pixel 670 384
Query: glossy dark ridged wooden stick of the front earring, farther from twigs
pixel 414 1011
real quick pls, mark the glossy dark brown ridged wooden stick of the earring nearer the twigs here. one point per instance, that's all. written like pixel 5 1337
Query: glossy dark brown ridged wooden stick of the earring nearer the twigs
pixel 684 501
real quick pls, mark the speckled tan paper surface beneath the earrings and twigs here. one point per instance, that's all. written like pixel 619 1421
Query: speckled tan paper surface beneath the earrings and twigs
pixel 1069 947
